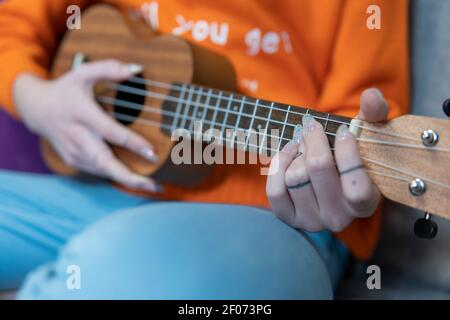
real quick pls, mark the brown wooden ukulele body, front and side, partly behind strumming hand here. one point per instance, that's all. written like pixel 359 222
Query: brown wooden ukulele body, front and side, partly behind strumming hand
pixel 109 34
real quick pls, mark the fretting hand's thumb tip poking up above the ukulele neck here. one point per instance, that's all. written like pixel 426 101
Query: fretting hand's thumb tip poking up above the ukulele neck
pixel 373 106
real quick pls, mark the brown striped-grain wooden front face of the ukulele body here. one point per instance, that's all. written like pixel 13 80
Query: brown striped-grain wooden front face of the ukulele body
pixel 105 34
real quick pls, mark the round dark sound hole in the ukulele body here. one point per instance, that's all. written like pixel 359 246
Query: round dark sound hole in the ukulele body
pixel 129 102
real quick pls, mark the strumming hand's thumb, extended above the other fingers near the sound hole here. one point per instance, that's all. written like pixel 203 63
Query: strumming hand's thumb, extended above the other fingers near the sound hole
pixel 108 70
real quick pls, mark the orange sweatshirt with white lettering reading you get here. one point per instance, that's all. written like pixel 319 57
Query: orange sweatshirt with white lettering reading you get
pixel 320 54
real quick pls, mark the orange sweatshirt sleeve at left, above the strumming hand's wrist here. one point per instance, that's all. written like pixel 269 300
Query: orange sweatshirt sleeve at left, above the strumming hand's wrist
pixel 29 34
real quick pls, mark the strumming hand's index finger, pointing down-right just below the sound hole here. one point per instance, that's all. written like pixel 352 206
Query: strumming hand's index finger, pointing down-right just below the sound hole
pixel 119 135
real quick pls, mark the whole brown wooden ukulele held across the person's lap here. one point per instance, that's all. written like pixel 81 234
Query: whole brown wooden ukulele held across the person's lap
pixel 407 158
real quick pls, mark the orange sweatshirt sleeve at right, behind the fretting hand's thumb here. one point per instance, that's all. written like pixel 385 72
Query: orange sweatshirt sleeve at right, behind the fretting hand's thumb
pixel 365 57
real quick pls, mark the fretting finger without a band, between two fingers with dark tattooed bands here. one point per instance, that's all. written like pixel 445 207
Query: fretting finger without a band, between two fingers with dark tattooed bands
pixel 323 174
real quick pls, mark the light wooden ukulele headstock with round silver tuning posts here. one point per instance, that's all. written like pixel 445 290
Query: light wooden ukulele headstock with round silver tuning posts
pixel 409 160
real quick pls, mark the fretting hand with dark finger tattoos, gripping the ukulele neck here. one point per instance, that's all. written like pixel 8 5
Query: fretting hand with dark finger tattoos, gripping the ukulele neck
pixel 311 190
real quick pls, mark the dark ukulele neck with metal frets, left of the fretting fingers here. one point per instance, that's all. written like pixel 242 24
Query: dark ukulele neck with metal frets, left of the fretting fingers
pixel 198 109
